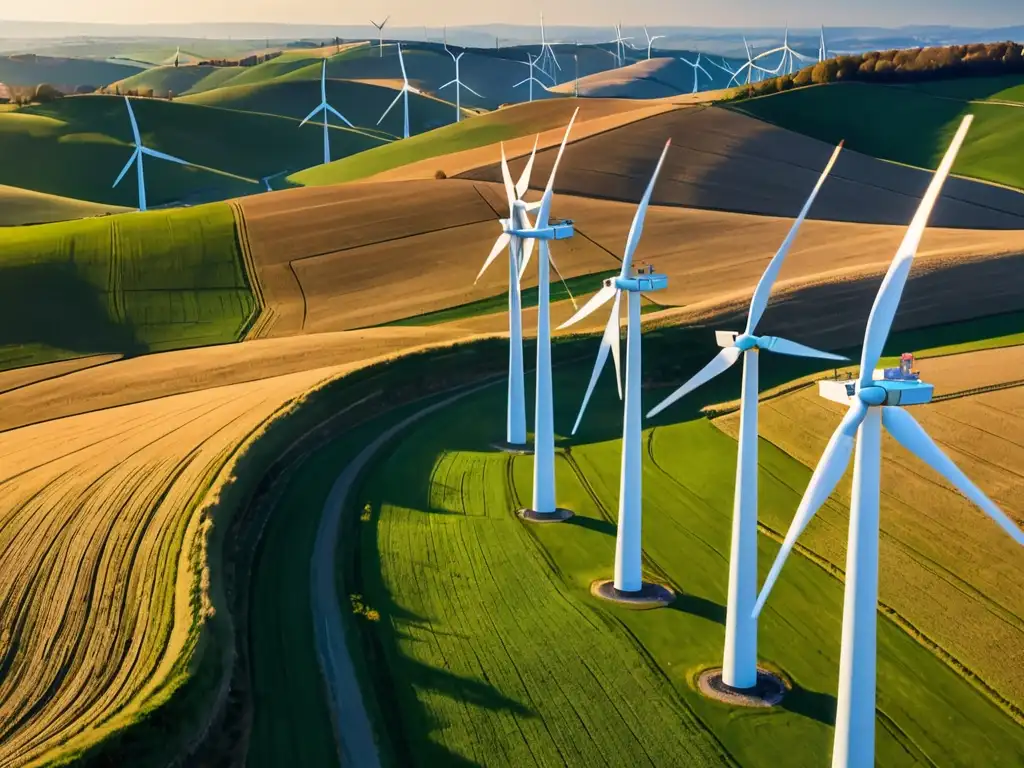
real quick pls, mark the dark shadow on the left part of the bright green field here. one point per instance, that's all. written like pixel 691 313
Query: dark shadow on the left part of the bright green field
pixel 52 305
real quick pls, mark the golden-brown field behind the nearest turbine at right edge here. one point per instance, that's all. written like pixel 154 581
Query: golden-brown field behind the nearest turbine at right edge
pixel 947 571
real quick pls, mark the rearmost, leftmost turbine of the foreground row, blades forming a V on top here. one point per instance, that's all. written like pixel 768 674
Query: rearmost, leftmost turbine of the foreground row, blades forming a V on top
pixel 516 434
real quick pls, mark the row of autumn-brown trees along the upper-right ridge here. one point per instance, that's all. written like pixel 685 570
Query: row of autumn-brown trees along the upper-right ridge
pixel 908 66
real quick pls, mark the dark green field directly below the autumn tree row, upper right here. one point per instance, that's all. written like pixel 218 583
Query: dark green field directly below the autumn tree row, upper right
pixel 906 125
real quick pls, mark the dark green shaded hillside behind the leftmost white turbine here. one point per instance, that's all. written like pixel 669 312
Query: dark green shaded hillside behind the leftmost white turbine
pixel 76 148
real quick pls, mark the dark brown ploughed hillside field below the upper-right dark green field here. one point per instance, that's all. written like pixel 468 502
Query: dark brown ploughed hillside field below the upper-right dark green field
pixel 722 160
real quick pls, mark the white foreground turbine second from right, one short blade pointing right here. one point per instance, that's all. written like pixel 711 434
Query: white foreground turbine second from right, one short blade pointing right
pixel 740 667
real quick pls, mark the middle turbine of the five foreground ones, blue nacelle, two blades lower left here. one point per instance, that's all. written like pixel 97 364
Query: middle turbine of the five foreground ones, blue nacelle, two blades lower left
pixel 629 553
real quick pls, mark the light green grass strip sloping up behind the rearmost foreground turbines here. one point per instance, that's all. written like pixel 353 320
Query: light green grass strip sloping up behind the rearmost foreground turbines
pixel 483 131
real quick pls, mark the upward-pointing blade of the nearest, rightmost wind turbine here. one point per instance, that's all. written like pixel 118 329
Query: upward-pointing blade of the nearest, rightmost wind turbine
pixel 887 301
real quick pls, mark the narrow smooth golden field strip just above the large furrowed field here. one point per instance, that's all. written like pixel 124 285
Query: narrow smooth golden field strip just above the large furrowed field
pixel 157 376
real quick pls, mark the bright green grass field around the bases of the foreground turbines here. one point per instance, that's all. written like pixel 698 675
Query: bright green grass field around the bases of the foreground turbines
pixel 490 650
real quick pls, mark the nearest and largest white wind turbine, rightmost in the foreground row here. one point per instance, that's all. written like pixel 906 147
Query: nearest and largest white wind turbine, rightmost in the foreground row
pixel 875 403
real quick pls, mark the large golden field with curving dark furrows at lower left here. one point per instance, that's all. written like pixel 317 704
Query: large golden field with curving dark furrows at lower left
pixel 98 527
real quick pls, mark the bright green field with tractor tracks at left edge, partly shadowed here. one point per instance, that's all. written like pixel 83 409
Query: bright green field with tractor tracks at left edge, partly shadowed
pixel 133 284
